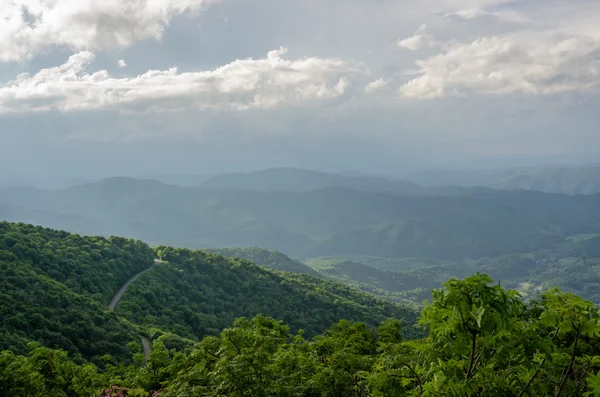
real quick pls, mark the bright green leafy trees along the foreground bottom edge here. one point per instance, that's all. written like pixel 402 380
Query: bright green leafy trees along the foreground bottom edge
pixel 483 341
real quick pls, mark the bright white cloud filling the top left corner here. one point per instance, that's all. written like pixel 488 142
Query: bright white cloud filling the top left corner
pixel 31 26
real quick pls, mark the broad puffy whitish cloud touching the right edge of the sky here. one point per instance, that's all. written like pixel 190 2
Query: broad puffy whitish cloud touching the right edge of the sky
pixel 544 62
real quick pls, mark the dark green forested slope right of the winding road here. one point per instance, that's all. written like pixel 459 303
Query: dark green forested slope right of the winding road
pixel 197 294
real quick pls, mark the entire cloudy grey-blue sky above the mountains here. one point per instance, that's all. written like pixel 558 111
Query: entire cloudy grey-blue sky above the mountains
pixel 94 88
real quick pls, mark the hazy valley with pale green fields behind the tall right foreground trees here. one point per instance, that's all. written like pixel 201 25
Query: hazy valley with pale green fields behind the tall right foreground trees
pixel 573 265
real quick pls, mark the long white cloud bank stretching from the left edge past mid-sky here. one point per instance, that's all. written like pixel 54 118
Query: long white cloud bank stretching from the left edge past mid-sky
pixel 242 84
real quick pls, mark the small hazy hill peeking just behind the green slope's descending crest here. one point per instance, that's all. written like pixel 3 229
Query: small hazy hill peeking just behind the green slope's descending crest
pixel 268 258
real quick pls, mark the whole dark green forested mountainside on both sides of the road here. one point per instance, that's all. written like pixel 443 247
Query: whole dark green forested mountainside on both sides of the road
pixel 56 288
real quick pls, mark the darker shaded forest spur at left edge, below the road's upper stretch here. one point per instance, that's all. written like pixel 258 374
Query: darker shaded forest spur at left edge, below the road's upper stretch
pixel 36 308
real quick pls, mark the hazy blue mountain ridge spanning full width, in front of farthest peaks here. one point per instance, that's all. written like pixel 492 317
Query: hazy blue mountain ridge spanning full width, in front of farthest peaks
pixel 326 222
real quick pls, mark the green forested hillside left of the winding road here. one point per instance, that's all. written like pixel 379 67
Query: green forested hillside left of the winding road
pixel 54 288
